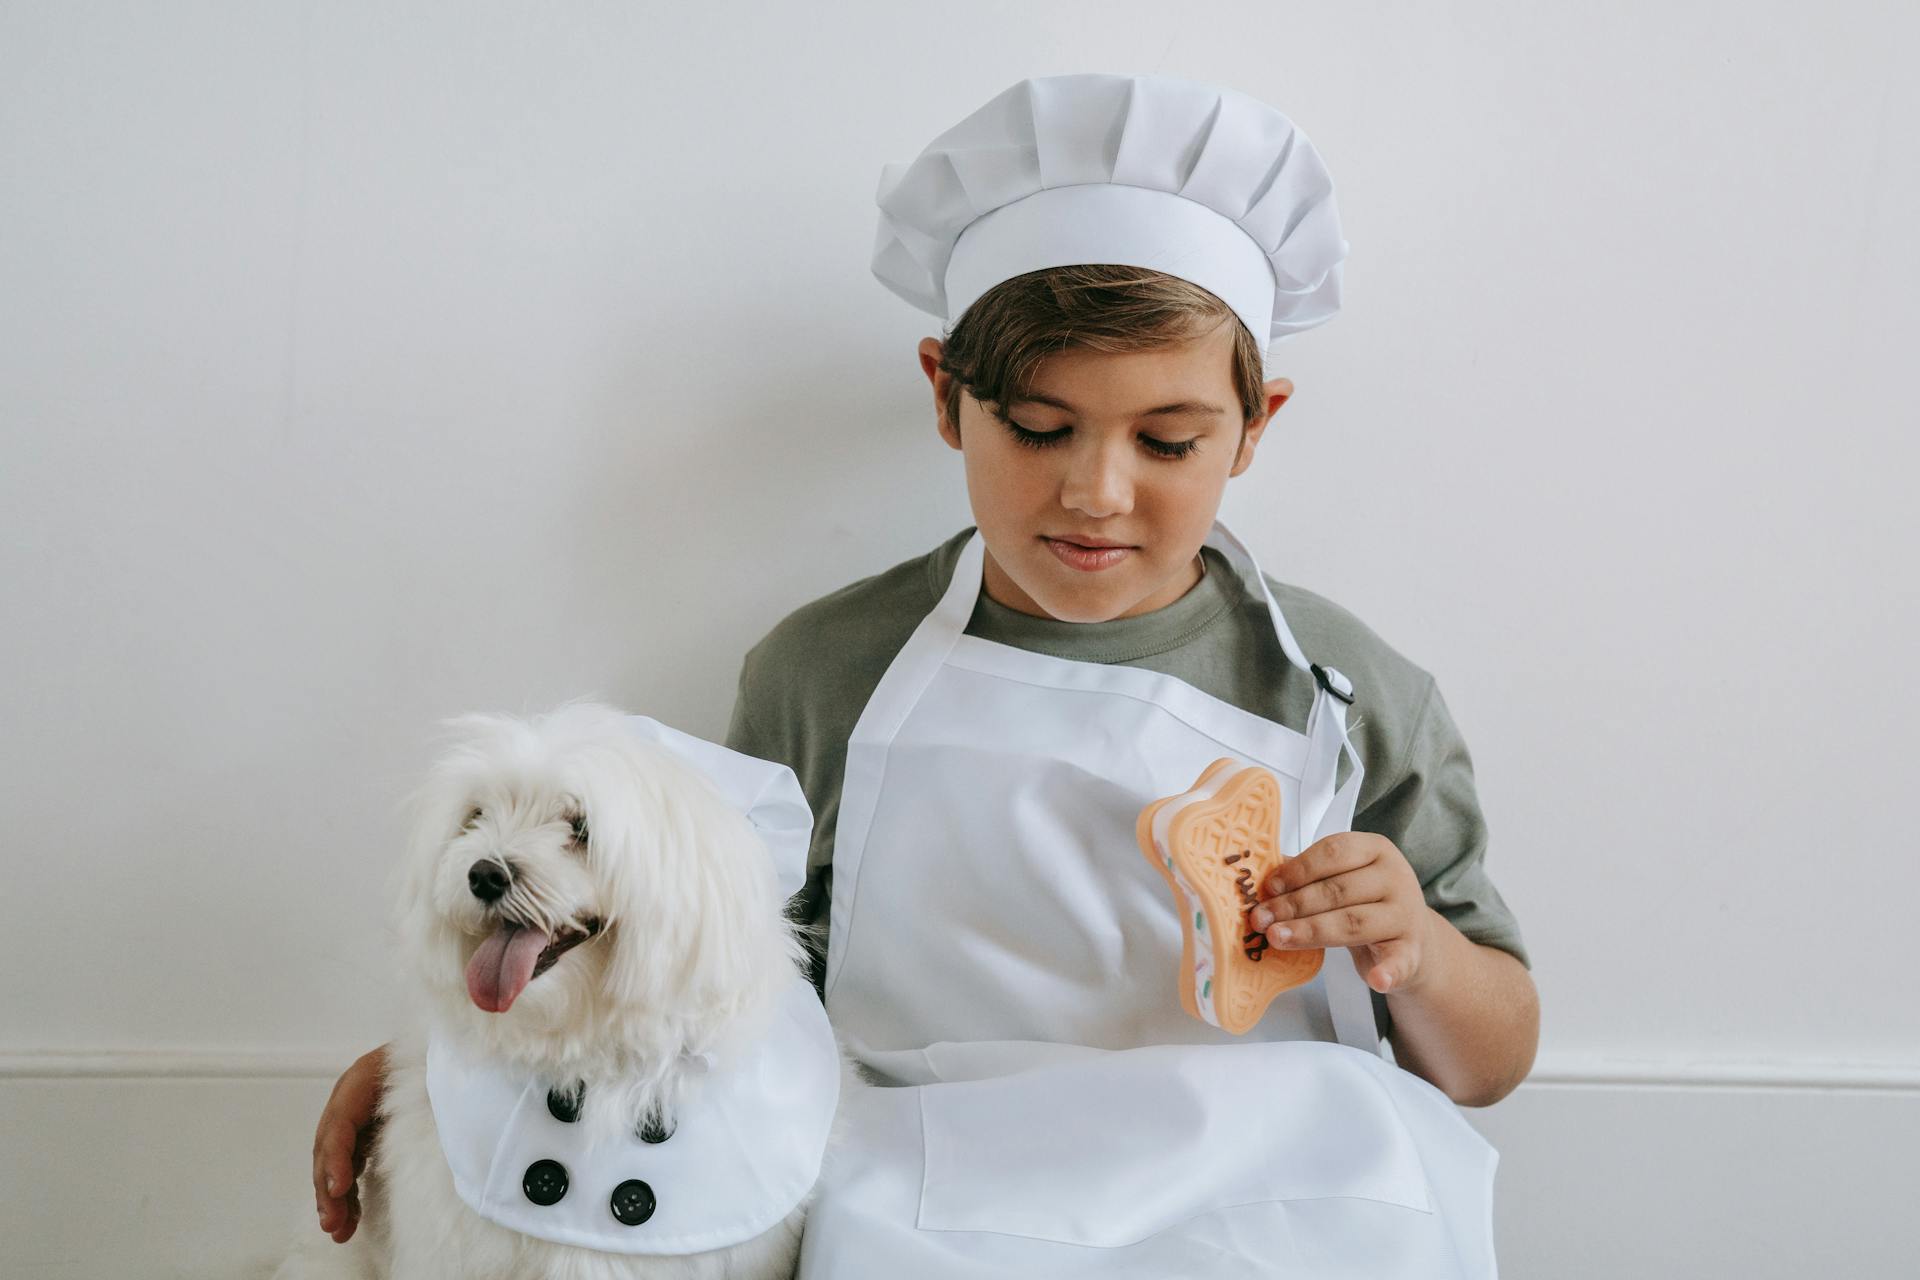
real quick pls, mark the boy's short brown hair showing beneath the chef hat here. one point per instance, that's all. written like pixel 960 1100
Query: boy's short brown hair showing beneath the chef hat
pixel 1001 341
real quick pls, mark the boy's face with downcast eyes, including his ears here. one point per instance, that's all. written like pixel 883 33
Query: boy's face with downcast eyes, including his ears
pixel 1086 460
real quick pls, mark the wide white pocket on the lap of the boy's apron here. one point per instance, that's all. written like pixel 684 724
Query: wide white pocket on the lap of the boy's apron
pixel 1113 1150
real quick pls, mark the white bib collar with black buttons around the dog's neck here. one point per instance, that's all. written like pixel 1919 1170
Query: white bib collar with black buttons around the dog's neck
pixel 742 1154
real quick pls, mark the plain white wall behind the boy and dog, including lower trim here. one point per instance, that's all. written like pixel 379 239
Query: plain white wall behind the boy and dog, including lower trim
pixel 370 364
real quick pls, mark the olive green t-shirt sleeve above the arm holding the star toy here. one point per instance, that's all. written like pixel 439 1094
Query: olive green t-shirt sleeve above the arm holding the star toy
pixel 1433 815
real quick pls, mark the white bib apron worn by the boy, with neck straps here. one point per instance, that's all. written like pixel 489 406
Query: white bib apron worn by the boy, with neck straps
pixel 1007 959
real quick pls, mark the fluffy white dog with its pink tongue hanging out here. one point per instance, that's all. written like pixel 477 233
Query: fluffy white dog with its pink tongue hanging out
pixel 577 907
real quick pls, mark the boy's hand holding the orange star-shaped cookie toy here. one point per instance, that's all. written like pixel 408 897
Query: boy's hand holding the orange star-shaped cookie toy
pixel 1353 889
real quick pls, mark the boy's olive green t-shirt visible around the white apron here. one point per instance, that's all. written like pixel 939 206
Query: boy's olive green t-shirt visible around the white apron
pixel 805 684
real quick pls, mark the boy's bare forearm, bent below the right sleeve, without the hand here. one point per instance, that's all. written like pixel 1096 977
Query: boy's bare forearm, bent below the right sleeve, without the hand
pixel 1474 1020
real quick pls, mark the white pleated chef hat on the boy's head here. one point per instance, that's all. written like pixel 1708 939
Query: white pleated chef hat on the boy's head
pixel 1189 179
